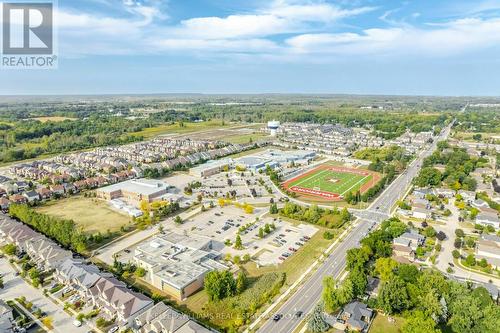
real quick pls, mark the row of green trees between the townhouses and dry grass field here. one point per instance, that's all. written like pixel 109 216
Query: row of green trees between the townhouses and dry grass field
pixel 64 231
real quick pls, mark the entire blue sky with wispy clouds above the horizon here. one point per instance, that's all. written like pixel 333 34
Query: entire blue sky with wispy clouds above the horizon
pixel 428 47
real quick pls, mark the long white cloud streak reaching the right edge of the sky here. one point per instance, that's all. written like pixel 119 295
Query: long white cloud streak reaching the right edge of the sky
pixel 444 40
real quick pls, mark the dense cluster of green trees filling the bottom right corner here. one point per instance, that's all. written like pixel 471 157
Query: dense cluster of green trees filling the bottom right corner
pixel 428 301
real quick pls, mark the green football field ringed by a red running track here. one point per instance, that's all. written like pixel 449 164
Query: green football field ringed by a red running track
pixel 329 182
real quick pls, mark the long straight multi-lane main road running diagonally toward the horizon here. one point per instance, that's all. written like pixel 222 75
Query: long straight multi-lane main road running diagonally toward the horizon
pixel 308 295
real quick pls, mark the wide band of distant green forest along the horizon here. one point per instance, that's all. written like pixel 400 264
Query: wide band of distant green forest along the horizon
pixel 104 123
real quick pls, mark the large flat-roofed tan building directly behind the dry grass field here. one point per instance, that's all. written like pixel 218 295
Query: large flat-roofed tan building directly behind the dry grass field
pixel 134 190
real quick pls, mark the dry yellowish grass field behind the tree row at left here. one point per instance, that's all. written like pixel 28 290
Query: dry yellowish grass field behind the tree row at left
pixel 91 214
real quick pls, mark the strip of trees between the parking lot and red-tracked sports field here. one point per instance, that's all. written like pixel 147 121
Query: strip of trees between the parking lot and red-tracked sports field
pixel 333 218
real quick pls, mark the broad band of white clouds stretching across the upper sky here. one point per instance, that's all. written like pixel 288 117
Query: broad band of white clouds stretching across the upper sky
pixel 309 22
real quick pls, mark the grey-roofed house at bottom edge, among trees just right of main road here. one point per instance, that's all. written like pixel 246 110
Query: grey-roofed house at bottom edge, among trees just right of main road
pixel 355 316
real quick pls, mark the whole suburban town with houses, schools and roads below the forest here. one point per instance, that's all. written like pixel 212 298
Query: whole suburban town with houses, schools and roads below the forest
pixel 225 228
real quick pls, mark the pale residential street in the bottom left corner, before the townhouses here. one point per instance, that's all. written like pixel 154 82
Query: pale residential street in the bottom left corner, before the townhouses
pixel 15 286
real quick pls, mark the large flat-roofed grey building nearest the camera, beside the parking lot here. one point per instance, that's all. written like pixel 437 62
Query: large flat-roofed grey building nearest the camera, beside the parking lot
pixel 177 264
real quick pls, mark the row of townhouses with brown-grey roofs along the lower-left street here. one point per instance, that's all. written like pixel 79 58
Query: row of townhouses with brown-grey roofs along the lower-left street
pixel 98 289
